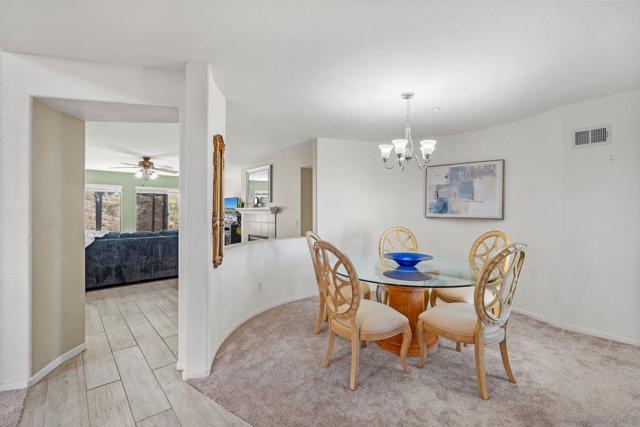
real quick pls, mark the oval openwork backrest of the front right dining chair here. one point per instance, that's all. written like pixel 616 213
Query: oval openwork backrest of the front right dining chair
pixel 496 285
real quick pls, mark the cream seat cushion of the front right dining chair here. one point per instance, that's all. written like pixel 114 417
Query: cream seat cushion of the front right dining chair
pixel 459 318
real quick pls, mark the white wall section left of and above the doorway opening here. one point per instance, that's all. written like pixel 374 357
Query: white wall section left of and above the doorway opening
pixel 21 78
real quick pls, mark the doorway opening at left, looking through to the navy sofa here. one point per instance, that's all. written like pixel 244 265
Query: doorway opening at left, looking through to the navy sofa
pixel 87 174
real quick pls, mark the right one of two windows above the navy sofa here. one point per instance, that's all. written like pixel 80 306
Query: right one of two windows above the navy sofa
pixel 157 209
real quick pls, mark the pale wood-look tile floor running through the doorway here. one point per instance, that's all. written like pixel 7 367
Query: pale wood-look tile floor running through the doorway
pixel 127 376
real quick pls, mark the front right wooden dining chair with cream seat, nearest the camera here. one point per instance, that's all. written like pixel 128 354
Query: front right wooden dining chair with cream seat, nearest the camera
pixel 484 322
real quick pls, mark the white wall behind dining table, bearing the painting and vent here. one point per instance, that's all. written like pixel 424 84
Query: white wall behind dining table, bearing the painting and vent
pixel 577 209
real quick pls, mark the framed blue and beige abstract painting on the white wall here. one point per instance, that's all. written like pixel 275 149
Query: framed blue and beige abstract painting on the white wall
pixel 466 190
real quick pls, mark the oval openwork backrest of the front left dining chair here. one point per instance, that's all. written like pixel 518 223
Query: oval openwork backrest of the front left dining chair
pixel 341 293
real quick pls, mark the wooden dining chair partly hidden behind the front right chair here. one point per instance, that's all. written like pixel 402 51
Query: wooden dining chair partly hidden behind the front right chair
pixel 483 249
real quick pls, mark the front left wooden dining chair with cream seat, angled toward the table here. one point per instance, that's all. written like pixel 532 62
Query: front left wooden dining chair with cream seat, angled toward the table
pixel 350 317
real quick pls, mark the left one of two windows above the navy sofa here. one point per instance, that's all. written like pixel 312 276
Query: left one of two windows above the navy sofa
pixel 102 207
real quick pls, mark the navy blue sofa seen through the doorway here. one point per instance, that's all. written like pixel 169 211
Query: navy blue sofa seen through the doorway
pixel 120 258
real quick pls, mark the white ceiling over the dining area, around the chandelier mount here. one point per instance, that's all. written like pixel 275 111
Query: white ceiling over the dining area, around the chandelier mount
pixel 293 70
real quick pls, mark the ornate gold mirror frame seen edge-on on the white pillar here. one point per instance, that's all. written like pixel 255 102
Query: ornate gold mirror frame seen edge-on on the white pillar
pixel 217 216
